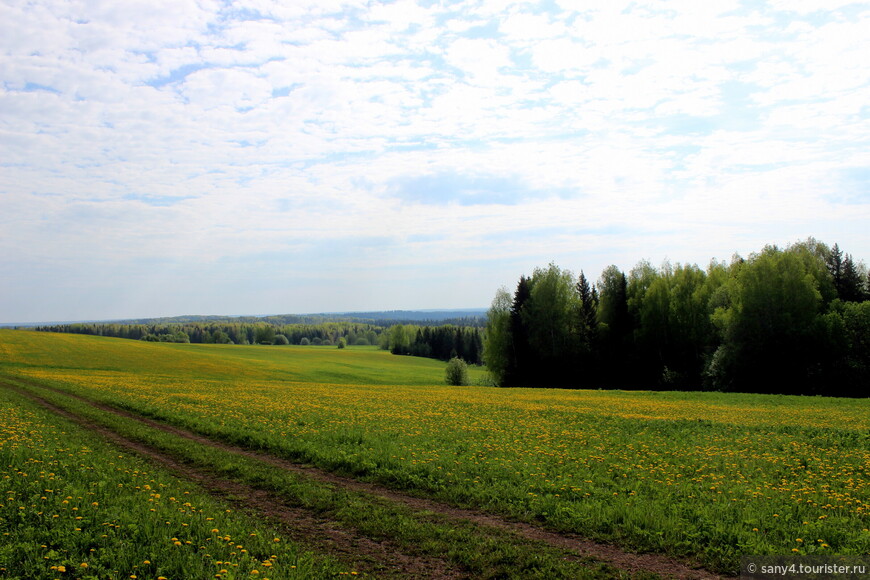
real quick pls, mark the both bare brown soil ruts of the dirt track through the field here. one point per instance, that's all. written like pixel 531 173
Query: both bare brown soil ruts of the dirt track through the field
pixel 377 557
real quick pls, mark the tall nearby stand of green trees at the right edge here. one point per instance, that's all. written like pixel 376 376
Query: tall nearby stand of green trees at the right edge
pixel 792 320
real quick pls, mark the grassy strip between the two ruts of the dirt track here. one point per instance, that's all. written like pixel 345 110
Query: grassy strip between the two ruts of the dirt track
pixel 480 553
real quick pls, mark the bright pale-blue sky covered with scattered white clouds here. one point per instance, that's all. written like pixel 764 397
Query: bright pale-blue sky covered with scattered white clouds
pixel 165 157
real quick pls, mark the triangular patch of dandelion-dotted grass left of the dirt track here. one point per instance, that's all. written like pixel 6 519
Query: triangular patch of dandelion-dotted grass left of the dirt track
pixel 75 507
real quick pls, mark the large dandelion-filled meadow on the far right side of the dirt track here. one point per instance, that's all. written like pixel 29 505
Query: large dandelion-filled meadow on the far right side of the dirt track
pixel 705 477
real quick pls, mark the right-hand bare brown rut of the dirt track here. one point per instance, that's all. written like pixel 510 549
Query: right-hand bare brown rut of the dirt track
pixel 630 562
